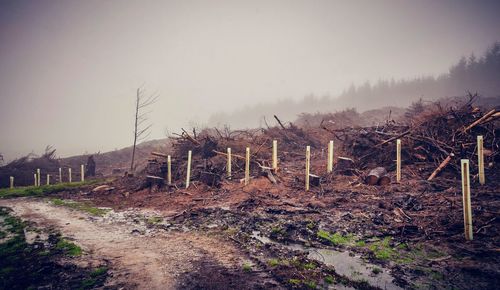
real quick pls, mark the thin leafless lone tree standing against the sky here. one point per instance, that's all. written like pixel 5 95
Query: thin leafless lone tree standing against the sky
pixel 141 129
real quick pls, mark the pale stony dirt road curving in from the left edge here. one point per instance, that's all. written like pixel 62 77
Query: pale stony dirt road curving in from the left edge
pixel 154 261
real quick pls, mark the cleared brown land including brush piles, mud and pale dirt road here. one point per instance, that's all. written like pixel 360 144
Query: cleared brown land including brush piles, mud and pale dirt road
pixel 343 233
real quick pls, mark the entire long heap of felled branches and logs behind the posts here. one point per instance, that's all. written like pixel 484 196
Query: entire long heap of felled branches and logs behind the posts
pixel 433 142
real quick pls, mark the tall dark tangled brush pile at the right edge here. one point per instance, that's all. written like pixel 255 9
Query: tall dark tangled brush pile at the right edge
pixel 434 138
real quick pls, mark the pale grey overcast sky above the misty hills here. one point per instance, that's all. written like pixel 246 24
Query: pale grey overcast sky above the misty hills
pixel 69 69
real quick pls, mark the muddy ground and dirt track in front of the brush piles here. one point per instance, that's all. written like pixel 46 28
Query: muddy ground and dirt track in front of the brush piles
pixel 262 236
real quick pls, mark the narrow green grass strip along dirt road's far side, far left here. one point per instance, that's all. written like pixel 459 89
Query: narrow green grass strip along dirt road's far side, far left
pixel 42 190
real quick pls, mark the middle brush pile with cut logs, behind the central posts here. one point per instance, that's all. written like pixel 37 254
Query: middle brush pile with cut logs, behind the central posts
pixel 209 151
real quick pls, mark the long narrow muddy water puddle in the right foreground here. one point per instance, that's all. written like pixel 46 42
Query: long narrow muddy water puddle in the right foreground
pixel 352 267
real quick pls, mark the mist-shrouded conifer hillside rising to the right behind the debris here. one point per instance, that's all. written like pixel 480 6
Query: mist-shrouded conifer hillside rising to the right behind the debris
pixel 472 74
